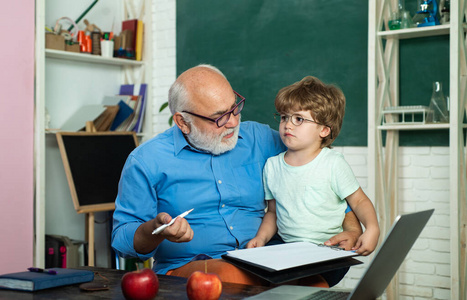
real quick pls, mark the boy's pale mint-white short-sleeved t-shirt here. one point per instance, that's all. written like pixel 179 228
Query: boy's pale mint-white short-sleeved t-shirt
pixel 310 199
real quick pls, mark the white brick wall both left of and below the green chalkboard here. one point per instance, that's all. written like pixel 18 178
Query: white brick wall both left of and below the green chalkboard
pixel 423 183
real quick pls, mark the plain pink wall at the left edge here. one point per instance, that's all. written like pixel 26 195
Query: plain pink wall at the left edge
pixel 16 137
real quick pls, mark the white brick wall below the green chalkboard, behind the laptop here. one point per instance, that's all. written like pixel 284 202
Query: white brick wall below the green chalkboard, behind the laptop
pixel 423 184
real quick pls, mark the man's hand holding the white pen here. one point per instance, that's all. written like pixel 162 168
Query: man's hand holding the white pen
pixel 180 231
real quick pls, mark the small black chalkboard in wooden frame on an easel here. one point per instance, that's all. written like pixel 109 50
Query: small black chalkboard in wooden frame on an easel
pixel 93 163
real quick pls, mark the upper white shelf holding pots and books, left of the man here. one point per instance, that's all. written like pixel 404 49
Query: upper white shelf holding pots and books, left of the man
pixel 74 56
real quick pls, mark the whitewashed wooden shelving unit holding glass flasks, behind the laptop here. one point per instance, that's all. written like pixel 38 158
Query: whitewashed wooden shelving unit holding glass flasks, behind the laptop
pixel 383 90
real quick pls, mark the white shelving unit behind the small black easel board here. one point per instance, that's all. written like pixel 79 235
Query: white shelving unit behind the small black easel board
pixel 64 82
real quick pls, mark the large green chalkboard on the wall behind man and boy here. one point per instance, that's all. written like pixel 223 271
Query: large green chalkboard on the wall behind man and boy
pixel 264 45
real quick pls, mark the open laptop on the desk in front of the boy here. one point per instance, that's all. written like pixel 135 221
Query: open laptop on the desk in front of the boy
pixel 387 260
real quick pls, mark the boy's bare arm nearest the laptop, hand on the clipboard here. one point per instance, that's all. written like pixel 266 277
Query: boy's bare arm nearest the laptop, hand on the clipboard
pixel 366 213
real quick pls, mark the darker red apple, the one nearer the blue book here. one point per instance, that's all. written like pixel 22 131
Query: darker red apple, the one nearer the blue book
pixel 140 285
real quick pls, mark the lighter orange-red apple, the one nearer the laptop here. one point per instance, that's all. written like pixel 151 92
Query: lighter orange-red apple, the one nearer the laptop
pixel 203 286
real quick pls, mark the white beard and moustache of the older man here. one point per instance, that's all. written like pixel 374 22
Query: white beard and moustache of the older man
pixel 213 143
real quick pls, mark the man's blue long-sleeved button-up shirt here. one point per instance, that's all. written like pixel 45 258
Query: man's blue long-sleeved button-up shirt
pixel 165 174
